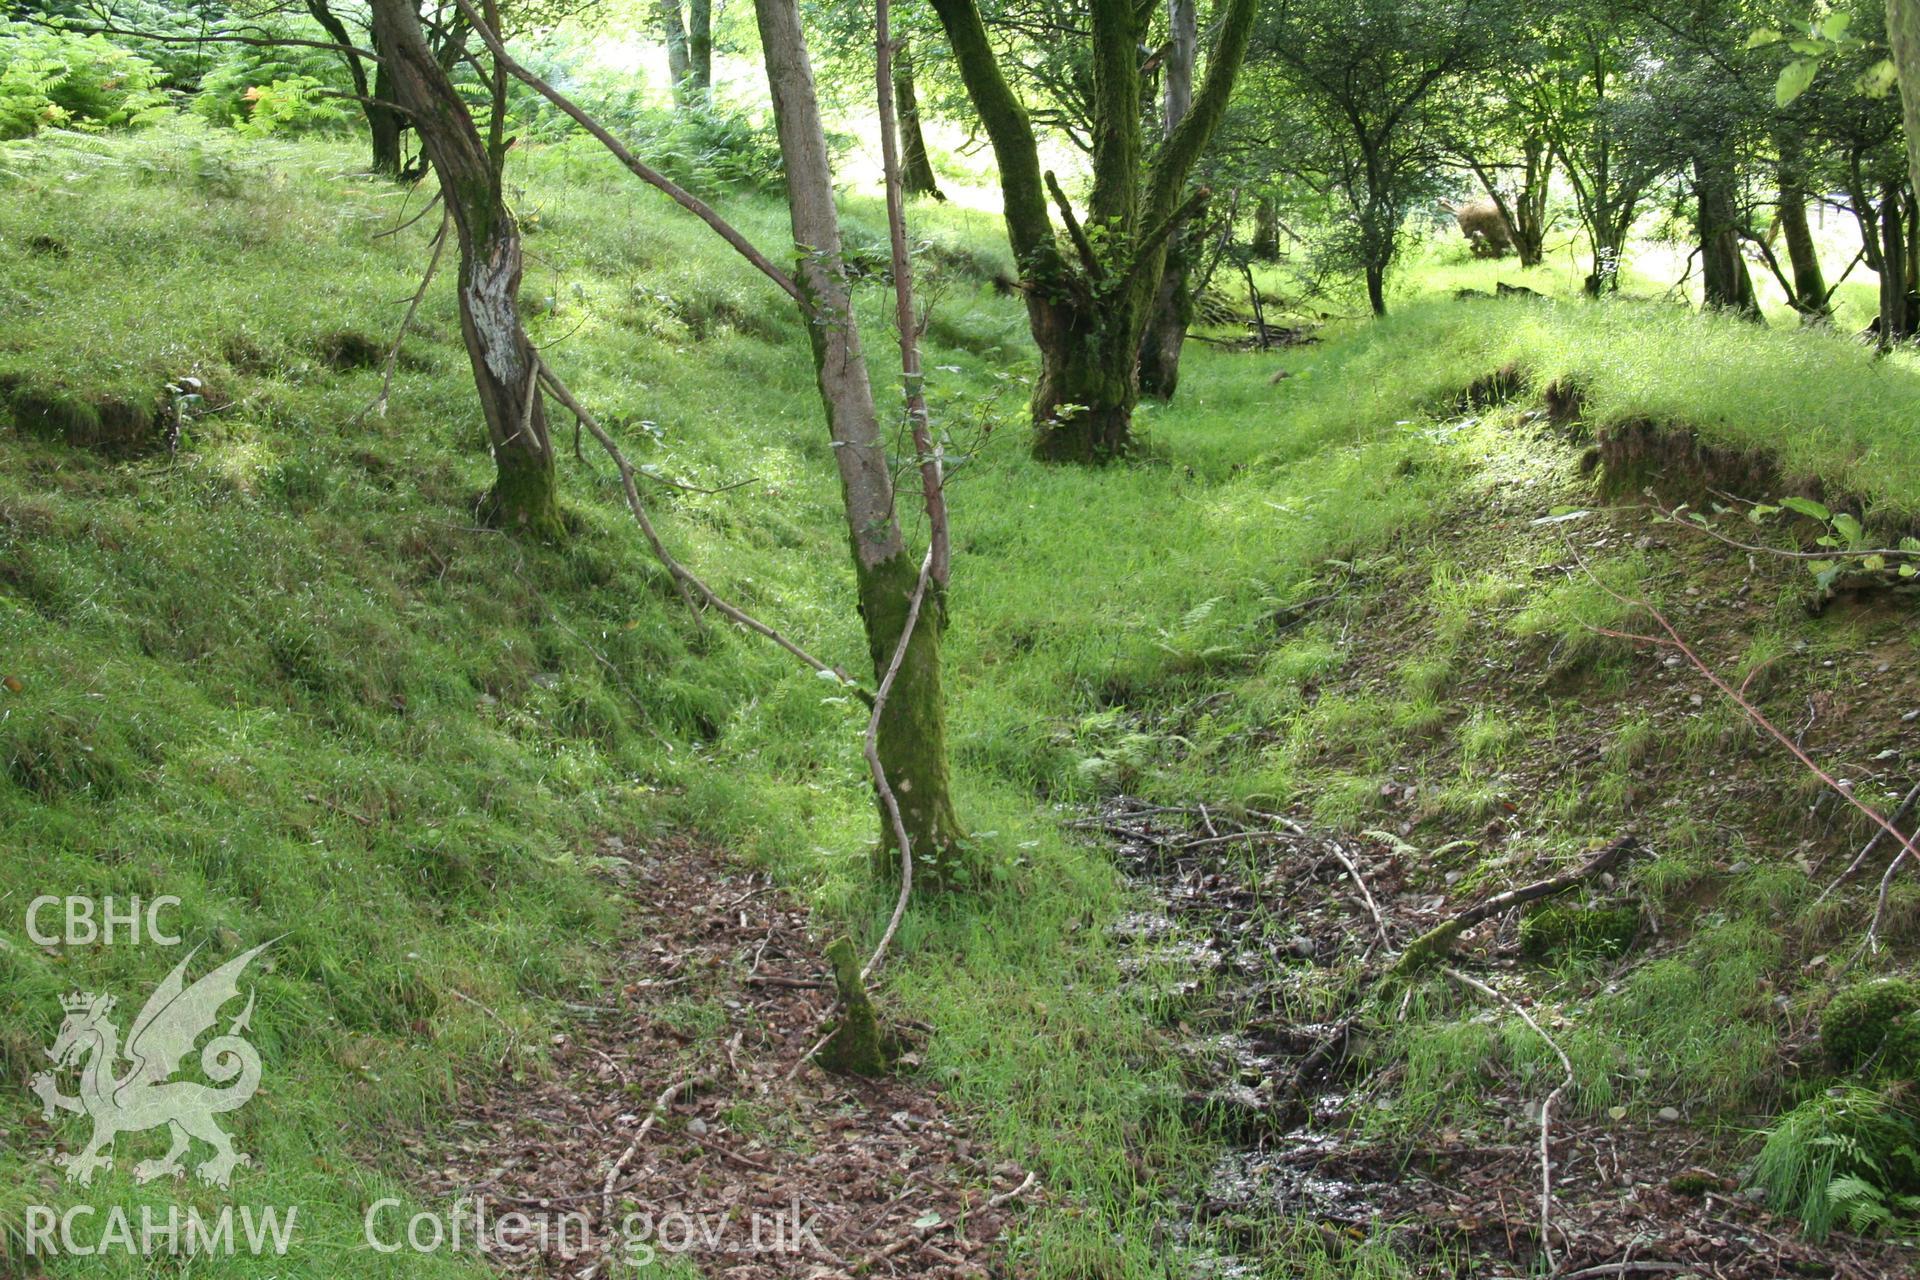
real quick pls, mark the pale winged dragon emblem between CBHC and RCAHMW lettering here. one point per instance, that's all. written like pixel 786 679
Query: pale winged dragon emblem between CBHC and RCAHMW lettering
pixel 145 1095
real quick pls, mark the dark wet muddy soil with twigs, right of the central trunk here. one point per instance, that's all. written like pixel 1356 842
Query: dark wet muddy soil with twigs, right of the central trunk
pixel 1262 937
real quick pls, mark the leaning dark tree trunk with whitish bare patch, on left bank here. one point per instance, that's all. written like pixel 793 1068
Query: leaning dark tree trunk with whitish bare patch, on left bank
pixel 504 362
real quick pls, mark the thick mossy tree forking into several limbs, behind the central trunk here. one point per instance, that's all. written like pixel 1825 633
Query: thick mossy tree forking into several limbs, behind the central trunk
pixel 1090 312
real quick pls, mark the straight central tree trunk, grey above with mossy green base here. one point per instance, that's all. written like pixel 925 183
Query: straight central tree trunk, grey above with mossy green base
pixel 913 728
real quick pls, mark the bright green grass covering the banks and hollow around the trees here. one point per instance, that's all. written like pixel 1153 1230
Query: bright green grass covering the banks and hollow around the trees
pixel 287 680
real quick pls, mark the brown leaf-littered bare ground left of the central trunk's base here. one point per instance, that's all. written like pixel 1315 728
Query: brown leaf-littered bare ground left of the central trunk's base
pixel 746 1173
